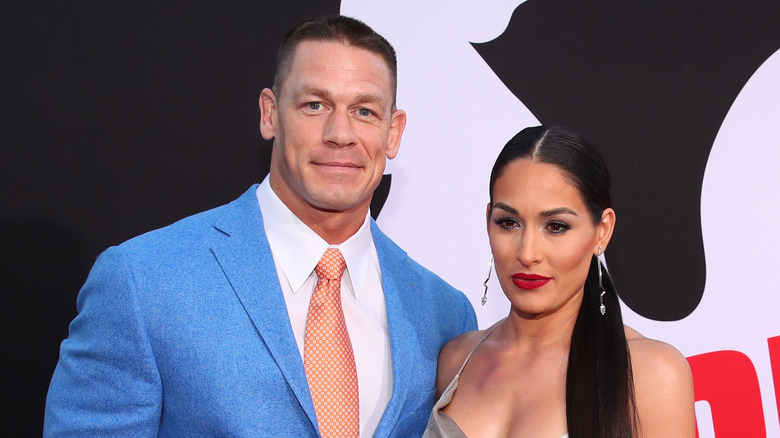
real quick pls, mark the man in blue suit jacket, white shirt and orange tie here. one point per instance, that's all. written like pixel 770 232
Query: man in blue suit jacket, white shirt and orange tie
pixel 214 326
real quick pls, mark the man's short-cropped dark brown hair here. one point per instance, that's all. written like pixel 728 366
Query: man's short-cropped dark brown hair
pixel 339 29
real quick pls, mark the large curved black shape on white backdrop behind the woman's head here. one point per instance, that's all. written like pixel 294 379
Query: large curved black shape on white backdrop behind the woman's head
pixel 650 83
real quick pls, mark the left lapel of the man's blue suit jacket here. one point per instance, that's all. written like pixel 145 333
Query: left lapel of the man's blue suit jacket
pixel 245 257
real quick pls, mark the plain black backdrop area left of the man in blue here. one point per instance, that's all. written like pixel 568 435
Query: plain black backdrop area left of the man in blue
pixel 117 118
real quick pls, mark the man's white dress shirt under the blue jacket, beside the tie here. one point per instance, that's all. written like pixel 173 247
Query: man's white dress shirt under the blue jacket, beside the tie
pixel 297 250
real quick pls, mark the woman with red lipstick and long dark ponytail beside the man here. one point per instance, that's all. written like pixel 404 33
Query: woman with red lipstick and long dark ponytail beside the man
pixel 561 362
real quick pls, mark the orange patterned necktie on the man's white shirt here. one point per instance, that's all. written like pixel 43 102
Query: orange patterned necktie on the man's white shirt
pixel 327 354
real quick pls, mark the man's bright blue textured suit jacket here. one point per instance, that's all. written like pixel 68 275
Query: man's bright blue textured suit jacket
pixel 183 331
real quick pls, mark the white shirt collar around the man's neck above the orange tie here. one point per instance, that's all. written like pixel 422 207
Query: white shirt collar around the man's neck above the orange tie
pixel 298 249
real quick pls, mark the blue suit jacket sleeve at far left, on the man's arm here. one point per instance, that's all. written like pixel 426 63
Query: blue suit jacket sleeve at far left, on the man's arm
pixel 106 382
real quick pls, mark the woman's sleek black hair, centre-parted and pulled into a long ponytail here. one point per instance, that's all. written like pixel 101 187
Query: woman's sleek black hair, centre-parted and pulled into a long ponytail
pixel 599 382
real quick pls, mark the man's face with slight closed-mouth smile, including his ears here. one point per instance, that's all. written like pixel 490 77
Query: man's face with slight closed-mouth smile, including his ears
pixel 333 126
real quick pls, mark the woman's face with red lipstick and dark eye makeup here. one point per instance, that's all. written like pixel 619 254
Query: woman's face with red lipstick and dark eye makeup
pixel 542 237
